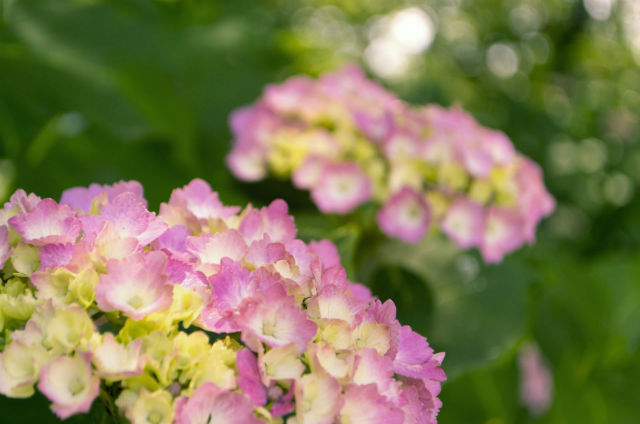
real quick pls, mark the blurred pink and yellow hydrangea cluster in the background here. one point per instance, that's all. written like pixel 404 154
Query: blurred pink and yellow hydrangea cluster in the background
pixel 348 140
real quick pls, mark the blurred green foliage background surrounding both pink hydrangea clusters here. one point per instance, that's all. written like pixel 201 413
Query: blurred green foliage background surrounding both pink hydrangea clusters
pixel 95 91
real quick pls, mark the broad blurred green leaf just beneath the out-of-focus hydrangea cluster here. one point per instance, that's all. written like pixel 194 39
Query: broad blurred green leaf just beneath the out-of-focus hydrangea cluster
pixel 477 318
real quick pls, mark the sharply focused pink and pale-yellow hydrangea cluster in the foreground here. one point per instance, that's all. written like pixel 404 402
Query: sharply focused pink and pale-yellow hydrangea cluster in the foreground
pixel 201 313
